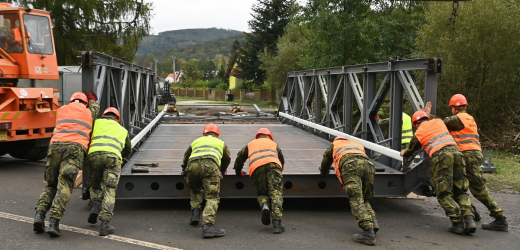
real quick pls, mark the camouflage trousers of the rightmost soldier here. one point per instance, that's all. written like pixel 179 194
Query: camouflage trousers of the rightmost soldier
pixel 477 182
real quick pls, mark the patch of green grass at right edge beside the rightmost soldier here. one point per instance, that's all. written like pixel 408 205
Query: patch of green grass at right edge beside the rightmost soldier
pixel 507 176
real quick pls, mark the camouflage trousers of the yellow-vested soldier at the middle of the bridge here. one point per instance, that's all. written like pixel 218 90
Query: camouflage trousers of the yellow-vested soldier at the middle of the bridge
pixel 203 175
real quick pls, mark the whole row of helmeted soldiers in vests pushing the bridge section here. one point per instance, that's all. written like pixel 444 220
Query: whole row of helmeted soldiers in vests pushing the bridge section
pixel 453 146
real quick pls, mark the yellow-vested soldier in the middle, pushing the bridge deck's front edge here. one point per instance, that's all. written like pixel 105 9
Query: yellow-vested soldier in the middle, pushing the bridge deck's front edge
pixel 204 164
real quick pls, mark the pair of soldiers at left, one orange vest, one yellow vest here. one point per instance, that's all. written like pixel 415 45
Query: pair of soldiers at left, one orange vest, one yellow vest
pixel 105 145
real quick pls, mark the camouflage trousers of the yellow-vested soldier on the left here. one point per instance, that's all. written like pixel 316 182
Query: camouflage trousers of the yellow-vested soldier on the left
pixel 104 173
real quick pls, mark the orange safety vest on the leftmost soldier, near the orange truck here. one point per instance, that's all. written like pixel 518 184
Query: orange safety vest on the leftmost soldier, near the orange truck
pixel 73 124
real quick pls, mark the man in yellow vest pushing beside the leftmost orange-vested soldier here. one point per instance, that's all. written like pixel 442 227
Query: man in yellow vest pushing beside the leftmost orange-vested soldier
pixel 109 146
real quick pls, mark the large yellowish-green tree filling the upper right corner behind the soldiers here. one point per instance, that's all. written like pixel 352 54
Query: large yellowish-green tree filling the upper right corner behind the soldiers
pixel 480 60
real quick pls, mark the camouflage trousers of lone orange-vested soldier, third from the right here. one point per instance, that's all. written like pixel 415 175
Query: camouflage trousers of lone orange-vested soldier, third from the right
pixel 357 174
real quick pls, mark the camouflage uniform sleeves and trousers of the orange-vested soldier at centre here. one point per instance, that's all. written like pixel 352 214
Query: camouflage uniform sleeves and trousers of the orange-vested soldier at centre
pixel 267 180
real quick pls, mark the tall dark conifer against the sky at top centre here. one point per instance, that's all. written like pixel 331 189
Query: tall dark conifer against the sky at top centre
pixel 270 17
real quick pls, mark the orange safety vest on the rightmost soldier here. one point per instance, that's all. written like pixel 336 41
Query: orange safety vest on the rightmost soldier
pixel 467 139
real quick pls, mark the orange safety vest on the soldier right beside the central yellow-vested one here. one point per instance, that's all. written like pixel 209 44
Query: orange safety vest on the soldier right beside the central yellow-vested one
pixel 262 151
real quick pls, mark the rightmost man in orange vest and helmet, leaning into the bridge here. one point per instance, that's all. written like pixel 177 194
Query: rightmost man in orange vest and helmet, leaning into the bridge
pixel 464 130
